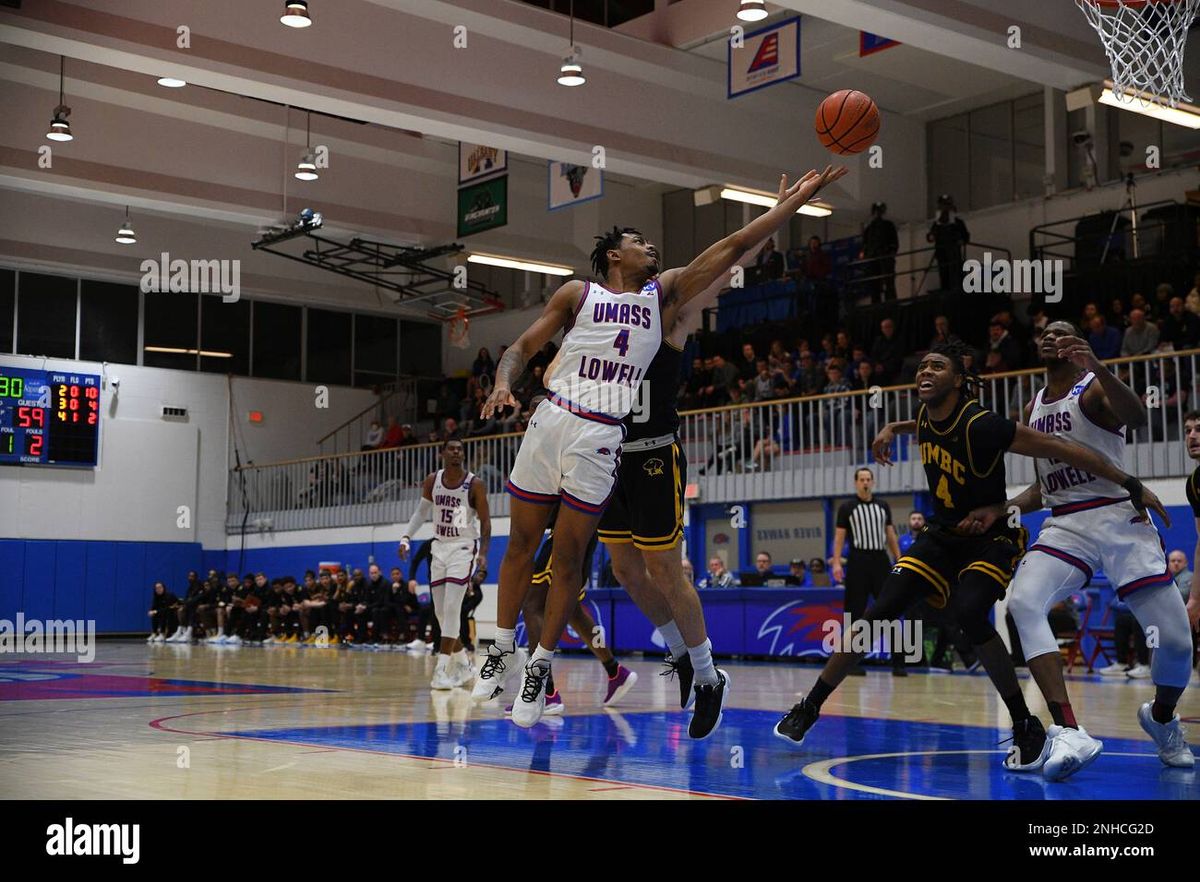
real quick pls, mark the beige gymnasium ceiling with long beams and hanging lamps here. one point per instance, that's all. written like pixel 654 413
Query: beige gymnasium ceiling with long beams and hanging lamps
pixel 392 97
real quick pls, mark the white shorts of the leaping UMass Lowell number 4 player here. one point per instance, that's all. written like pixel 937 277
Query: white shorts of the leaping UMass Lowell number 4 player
pixel 567 457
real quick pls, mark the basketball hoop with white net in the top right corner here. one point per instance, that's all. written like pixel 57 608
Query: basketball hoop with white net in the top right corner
pixel 1145 43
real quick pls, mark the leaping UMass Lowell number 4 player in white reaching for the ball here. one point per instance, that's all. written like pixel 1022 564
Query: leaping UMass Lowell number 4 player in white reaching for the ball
pixel 572 449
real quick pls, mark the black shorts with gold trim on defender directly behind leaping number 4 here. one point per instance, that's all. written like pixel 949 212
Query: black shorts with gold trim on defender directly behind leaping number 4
pixel 647 503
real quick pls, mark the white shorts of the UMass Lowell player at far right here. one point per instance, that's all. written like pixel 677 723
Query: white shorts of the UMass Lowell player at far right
pixel 1106 537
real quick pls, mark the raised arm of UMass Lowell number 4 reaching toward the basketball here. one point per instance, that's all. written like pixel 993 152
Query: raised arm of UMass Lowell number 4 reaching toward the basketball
pixel 682 285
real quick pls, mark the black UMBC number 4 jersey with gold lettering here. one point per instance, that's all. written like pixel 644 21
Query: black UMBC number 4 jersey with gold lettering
pixel 964 460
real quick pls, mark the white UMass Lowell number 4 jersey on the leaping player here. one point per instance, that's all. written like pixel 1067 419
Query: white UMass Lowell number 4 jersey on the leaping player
pixel 608 350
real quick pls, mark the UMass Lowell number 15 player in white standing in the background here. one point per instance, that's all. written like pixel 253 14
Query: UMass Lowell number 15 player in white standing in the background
pixel 463 529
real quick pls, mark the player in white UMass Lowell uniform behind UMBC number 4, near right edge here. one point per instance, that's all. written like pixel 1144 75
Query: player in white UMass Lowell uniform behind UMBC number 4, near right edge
pixel 1093 527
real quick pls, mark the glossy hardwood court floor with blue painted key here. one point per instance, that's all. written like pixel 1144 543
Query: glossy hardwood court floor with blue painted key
pixel 193 723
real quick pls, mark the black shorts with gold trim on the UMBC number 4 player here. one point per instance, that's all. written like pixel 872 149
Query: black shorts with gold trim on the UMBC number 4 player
pixel 943 559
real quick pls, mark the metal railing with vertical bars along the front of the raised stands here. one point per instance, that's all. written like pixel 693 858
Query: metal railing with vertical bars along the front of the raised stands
pixel 800 448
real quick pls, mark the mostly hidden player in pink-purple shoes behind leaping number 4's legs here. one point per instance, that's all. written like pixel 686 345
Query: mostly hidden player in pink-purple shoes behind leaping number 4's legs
pixel 621 679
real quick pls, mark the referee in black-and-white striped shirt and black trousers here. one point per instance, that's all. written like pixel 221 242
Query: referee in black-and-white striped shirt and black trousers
pixel 872 537
